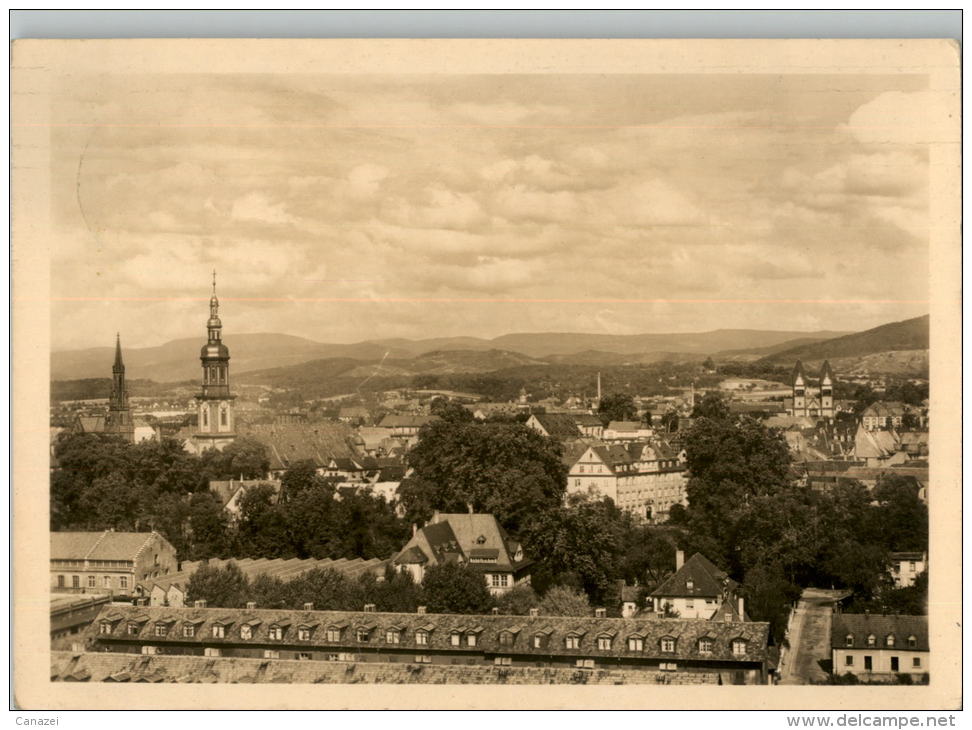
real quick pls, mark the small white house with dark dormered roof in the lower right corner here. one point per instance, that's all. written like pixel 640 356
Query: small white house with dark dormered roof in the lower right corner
pixel 878 648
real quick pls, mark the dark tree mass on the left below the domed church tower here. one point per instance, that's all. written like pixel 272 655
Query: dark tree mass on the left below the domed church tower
pixel 105 483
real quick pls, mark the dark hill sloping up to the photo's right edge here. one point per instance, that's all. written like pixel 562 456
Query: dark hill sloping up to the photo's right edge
pixel 909 336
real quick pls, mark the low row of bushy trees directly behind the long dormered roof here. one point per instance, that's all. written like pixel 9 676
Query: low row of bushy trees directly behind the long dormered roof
pixel 447 588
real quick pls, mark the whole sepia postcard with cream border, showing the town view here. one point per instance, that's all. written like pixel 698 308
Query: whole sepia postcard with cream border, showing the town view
pixel 610 374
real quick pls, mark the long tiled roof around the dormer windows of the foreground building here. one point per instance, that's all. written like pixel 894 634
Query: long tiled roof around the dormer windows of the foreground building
pixel 685 632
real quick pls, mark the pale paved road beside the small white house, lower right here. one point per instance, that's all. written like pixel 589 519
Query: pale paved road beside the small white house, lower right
pixel 809 638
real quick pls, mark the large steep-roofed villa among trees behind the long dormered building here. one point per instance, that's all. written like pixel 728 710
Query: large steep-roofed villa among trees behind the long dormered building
pixel 475 540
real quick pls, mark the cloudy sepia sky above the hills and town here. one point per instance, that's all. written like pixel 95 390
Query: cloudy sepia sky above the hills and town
pixel 343 208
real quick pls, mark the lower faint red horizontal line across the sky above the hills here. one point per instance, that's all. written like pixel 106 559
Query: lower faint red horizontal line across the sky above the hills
pixel 483 300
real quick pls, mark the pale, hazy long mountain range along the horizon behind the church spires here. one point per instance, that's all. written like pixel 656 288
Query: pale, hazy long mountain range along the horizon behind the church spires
pixel 179 359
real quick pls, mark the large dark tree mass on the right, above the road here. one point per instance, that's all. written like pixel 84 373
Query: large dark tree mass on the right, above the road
pixel 748 515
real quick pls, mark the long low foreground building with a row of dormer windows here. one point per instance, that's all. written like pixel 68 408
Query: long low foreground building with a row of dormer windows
pixel 736 652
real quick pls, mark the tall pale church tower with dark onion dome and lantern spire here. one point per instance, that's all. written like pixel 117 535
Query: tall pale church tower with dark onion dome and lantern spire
pixel 215 427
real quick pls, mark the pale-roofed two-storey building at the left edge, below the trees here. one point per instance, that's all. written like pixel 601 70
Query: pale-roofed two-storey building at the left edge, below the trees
pixel 108 562
